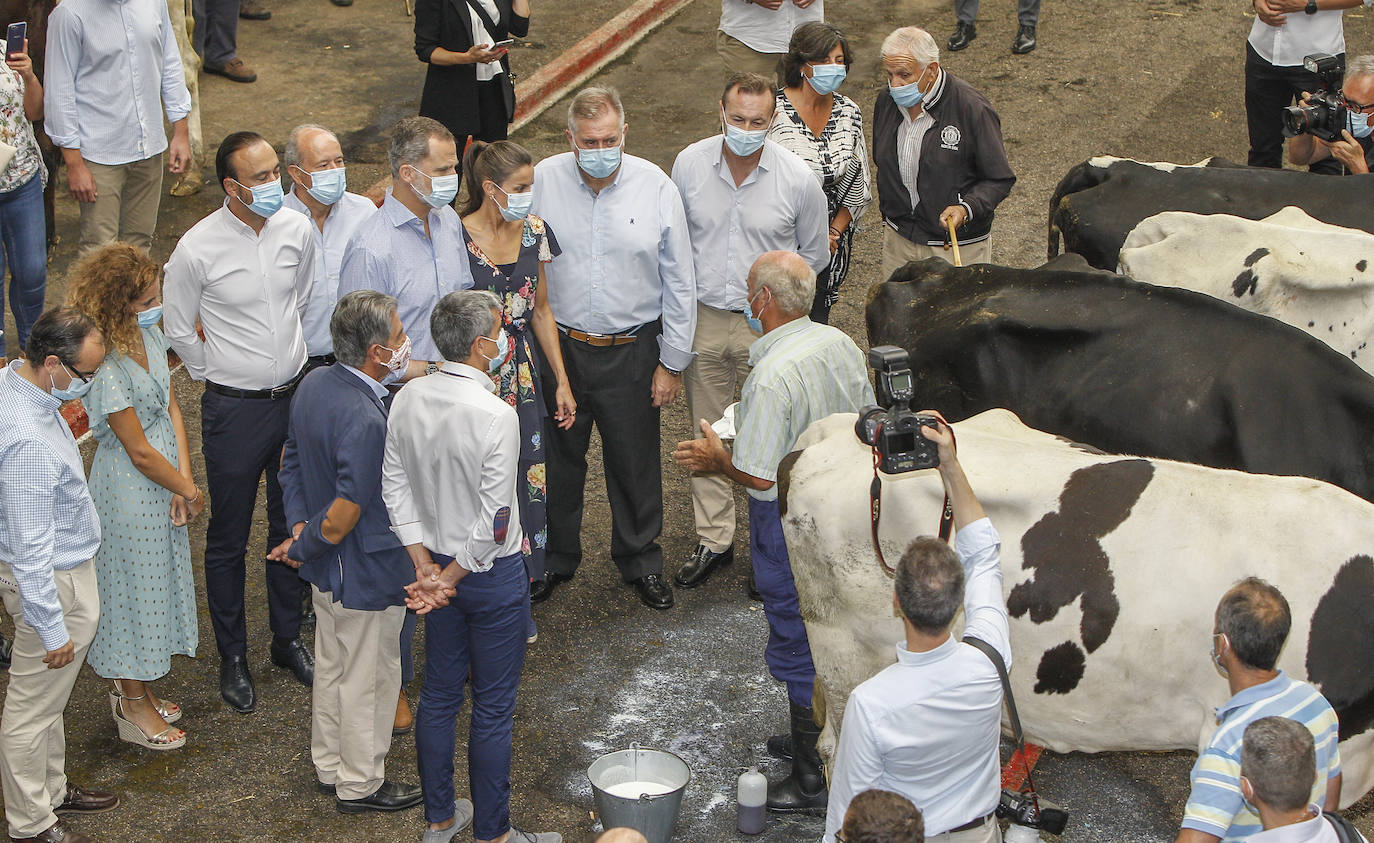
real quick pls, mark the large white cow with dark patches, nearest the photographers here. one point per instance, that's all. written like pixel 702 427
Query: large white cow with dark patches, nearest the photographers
pixel 1112 569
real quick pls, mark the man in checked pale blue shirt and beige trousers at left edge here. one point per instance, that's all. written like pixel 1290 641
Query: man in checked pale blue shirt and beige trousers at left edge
pixel 49 533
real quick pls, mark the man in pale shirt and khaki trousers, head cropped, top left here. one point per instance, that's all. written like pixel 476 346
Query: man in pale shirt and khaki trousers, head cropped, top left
pixel 113 69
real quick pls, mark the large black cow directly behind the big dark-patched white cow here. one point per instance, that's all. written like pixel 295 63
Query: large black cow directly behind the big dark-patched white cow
pixel 1130 369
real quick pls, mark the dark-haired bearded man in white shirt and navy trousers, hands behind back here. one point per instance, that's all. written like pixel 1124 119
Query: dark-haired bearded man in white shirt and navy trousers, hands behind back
pixel 234 293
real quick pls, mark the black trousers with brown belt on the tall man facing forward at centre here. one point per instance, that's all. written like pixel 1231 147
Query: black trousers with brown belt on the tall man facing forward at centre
pixel 613 391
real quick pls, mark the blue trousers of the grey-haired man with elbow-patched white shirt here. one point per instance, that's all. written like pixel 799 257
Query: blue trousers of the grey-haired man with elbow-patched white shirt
pixel 480 632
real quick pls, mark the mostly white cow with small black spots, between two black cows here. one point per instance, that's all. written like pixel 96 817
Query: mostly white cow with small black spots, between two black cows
pixel 1300 271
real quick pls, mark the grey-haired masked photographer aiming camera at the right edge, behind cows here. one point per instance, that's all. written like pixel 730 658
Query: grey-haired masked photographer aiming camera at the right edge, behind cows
pixel 1336 123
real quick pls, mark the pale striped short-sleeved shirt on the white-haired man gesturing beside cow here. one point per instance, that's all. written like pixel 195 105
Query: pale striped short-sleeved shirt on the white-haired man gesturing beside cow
pixel 803 373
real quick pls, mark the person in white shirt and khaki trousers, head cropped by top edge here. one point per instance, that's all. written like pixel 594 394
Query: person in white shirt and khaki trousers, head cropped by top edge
pixel 755 34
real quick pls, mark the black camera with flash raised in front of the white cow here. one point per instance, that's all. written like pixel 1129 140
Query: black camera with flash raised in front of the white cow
pixel 891 428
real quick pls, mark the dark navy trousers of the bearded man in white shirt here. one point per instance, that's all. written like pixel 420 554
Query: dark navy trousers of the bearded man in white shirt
pixel 243 439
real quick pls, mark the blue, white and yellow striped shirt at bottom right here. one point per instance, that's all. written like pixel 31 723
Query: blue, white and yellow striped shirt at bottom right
pixel 1215 805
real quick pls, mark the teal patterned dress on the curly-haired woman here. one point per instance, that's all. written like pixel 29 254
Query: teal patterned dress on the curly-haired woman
pixel 148 592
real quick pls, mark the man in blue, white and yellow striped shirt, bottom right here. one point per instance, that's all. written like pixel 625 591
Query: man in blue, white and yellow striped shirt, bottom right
pixel 1252 623
